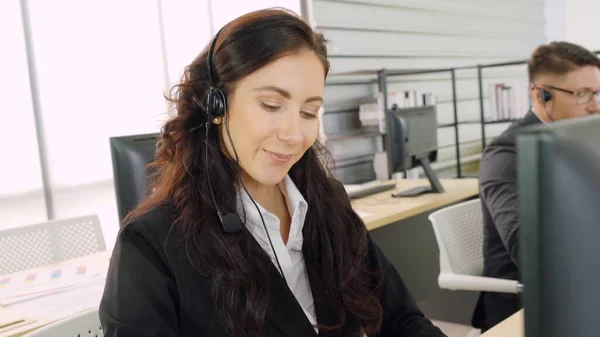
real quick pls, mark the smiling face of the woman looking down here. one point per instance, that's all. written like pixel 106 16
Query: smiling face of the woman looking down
pixel 273 116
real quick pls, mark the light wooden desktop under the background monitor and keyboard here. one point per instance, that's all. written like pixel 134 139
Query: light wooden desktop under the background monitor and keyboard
pixel 383 209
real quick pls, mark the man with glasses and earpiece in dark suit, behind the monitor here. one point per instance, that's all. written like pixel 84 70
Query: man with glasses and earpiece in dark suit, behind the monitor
pixel 564 80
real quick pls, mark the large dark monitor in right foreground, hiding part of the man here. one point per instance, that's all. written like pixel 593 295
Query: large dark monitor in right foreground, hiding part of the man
pixel 559 212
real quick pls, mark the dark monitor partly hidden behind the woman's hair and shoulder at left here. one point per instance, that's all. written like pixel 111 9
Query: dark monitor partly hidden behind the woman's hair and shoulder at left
pixel 130 157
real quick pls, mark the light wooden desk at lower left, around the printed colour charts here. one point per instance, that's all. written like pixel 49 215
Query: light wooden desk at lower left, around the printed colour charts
pixel 36 313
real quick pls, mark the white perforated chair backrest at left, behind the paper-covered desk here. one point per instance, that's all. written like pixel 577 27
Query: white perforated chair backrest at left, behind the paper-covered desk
pixel 54 241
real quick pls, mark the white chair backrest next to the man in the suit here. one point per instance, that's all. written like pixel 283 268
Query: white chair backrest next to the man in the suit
pixel 459 233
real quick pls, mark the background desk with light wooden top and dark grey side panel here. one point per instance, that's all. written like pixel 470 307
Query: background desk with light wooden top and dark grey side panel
pixel 400 227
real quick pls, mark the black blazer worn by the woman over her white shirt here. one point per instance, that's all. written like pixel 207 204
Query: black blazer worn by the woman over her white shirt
pixel 153 290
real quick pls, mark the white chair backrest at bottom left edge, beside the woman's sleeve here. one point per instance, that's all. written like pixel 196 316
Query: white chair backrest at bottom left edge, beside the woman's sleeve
pixel 85 323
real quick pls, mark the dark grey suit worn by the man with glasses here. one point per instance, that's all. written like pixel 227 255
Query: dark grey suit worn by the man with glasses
pixel 498 192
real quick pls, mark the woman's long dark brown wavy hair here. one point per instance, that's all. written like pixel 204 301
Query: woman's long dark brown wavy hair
pixel 336 244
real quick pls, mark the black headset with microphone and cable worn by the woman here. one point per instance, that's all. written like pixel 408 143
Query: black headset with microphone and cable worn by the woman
pixel 215 104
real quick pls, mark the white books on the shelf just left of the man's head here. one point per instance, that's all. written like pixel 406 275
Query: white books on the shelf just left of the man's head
pixel 508 100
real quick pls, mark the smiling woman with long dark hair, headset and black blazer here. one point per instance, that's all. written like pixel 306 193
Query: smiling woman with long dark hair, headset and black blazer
pixel 244 232
